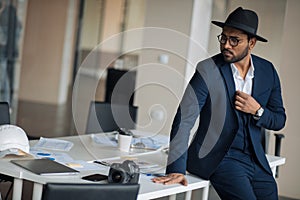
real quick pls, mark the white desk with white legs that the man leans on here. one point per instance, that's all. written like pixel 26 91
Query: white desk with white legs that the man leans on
pixel 85 149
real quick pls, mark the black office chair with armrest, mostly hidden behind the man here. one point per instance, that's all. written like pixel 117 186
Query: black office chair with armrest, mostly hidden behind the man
pixel 265 143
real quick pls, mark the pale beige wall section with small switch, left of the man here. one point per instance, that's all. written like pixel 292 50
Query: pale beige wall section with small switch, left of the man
pixel 159 86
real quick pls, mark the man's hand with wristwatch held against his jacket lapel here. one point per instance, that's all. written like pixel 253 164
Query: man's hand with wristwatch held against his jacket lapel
pixel 246 103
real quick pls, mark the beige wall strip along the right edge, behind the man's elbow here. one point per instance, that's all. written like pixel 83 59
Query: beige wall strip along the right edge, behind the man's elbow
pixel 289 71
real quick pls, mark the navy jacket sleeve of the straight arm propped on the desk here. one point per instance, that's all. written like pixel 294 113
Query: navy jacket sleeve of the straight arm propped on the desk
pixel 191 104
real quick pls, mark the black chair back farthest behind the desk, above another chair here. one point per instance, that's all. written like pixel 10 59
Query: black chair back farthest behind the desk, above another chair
pixel 120 85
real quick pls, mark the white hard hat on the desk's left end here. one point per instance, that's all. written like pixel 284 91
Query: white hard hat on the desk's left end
pixel 13 137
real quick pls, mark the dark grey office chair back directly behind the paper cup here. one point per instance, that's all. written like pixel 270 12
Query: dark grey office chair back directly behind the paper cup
pixel 106 117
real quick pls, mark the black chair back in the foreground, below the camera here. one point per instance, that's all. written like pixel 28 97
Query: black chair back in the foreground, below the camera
pixel 62 191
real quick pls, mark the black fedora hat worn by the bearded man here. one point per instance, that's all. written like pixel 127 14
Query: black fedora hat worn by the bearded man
pixel 242 19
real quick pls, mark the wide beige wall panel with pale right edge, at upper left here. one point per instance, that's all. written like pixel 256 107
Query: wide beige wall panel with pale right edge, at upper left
pixel 47 55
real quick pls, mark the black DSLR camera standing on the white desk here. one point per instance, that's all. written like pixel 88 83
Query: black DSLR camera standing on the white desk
pixel 126 172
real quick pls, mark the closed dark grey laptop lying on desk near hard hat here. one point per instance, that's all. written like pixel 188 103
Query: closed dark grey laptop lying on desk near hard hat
pixel 45 167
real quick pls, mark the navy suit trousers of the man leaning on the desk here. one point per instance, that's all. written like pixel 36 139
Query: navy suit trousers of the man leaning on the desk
pixel 240 176
